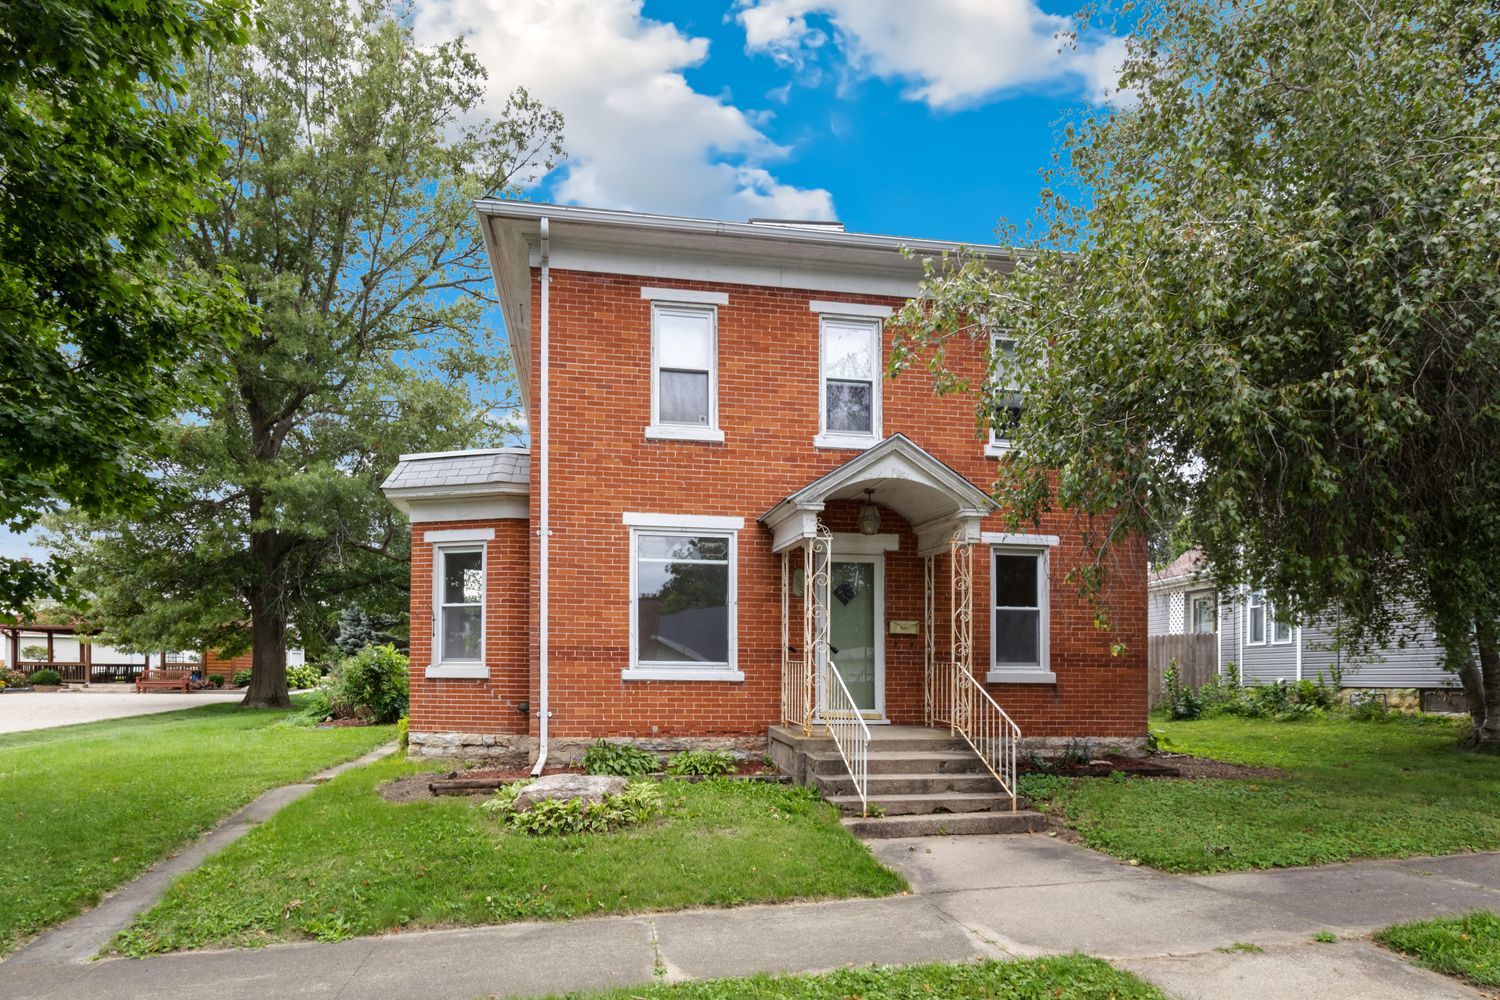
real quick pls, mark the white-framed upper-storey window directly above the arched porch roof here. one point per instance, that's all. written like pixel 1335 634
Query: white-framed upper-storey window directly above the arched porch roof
pixel 848 382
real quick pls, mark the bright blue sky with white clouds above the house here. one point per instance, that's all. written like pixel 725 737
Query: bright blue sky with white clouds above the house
pixel 910 118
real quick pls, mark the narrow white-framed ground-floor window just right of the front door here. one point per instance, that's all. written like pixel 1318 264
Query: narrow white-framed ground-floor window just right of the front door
pixel 1019 617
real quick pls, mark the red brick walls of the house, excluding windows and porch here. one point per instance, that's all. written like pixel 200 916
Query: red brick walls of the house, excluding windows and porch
pixel 769 410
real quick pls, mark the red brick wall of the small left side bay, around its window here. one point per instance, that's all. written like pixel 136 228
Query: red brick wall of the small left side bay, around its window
pixel 476 705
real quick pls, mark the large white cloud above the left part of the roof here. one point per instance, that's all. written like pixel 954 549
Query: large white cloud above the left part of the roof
pixel 638 136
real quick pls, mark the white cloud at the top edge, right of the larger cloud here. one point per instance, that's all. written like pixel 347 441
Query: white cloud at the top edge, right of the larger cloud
pixel 952 53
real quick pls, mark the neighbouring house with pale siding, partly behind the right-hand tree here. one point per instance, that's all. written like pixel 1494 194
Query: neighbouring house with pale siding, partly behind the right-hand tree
pixel 1267 647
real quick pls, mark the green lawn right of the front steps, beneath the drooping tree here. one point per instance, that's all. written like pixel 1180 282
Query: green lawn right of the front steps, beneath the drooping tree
pixel 1352 791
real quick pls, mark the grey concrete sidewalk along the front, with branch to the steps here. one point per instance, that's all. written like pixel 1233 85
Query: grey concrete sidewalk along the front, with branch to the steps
pixel 973 897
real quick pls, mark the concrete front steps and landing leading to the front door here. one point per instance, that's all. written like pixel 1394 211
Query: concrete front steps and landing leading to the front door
pixel 925 782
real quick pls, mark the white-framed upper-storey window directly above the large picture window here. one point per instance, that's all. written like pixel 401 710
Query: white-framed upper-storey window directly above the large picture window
pixel 685 373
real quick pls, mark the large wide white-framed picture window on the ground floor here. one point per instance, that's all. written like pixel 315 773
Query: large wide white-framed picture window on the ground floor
pixel 683 597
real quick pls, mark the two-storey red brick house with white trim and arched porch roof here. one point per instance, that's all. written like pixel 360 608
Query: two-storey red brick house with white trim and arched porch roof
pixel 725 496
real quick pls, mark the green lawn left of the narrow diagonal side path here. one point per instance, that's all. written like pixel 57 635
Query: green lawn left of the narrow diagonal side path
pixel 85 809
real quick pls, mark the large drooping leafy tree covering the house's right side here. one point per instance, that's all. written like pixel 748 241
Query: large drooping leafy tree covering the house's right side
pixel 1267 289
